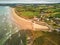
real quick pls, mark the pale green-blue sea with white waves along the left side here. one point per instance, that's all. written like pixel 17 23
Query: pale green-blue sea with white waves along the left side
pixel 7 28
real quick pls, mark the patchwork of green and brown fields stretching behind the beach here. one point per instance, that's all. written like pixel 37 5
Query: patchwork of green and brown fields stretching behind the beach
pixel 29 11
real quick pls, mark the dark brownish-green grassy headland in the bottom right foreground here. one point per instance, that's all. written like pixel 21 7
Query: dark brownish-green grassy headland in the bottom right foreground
pixel 49 38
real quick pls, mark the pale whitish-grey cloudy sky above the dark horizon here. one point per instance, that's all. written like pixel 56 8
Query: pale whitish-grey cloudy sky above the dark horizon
pixel 29 1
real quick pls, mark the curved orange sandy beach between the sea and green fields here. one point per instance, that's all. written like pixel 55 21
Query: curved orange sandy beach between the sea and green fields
pixel 26 24
